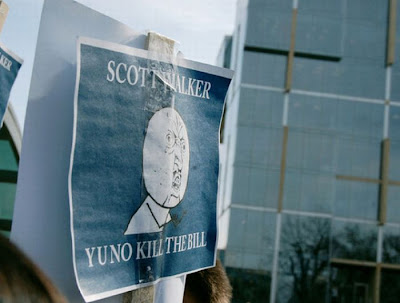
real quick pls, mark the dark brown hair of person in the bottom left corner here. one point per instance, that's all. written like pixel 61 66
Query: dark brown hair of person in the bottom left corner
pixel 21 280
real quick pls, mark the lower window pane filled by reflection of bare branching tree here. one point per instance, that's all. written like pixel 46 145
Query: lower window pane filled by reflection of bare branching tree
pixel 303 259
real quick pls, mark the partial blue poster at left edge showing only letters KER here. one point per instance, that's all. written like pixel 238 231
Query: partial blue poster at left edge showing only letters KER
pixel 9 67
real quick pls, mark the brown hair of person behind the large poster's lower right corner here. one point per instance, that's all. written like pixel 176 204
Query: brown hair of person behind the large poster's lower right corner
pixel 208 286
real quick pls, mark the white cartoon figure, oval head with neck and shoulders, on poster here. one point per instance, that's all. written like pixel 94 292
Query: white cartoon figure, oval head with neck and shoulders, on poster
pixel 165 171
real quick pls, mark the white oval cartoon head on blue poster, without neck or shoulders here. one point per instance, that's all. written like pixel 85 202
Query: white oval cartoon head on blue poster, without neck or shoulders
pixel 166 158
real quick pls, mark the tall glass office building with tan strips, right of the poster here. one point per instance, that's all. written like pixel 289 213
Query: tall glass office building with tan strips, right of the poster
pixel 310 182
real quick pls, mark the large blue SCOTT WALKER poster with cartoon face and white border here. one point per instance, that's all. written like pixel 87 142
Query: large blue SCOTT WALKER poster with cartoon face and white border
pixel 144 167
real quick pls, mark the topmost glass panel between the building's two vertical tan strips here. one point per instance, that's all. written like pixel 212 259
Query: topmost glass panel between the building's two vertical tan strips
pixel 361 71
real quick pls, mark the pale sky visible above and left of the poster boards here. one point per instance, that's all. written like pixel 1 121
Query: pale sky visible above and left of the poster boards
pixel 198 26
